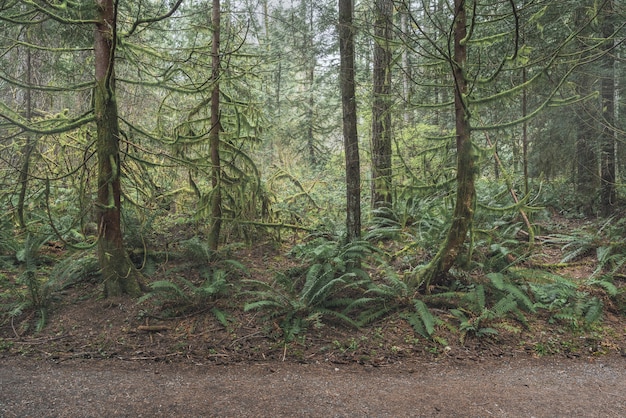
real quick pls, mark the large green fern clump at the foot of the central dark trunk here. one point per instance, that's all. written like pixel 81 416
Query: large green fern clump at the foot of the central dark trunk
pixel 323 289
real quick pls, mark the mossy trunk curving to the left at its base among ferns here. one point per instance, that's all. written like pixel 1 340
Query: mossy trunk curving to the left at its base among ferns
pixel 446 257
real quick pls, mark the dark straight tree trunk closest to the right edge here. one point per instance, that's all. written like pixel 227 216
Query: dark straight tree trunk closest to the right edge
pixel 607 136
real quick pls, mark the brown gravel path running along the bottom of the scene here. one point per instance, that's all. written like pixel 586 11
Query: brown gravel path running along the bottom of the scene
pixel 527 387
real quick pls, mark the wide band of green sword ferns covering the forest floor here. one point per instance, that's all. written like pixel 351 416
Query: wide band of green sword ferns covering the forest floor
pixel 356 284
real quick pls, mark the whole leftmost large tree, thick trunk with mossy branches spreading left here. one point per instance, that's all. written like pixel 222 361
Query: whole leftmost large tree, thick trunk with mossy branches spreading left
pixel 70 85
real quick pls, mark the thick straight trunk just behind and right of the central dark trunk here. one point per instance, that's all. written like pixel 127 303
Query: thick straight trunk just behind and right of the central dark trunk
pixel 381 108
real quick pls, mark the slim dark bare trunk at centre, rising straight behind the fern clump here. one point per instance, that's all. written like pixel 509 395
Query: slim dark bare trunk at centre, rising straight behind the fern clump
pixel 350 137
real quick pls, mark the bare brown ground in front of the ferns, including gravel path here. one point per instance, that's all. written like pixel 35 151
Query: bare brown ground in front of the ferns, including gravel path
pixel 115 357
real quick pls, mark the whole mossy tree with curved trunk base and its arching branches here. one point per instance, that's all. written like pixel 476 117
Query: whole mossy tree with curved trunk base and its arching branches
pixel 488 88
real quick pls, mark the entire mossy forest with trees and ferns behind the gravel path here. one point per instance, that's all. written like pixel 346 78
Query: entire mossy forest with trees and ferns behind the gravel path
pixel 278 179
